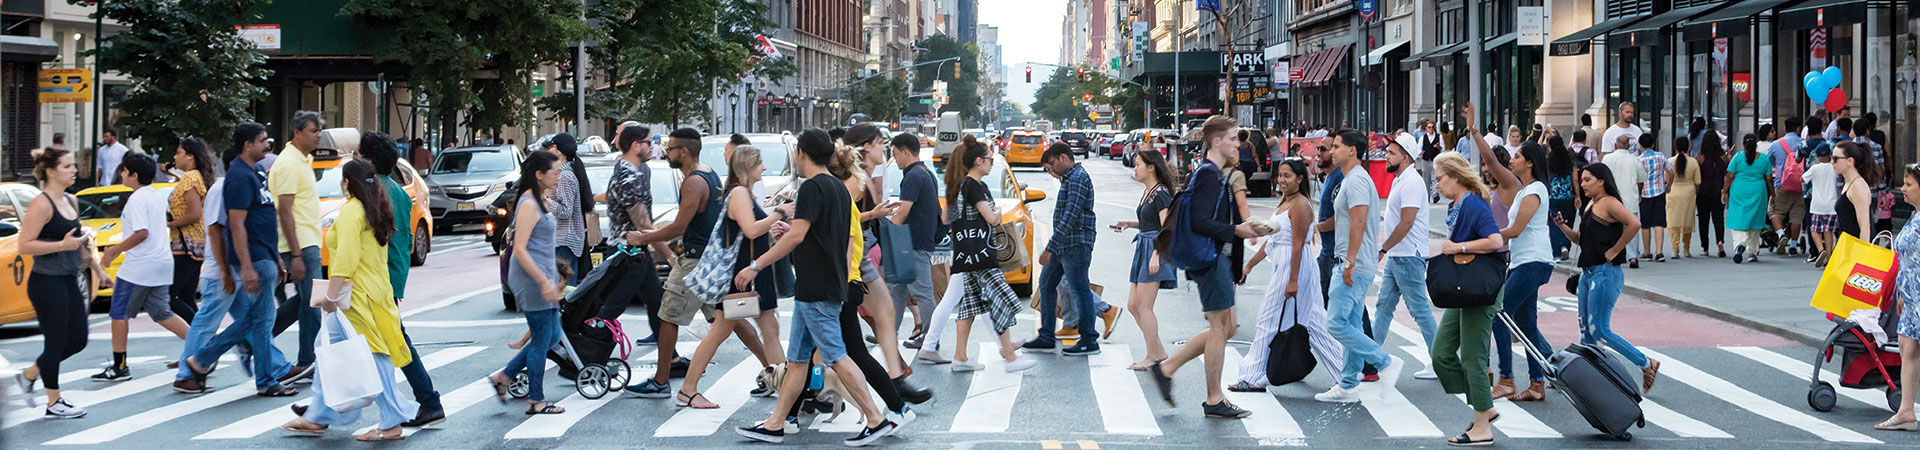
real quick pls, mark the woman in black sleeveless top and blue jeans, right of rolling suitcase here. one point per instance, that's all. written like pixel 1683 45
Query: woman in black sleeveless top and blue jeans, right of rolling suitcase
pixel 1606 230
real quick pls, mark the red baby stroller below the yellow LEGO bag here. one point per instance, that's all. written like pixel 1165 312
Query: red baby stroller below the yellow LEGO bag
pixel 1865 364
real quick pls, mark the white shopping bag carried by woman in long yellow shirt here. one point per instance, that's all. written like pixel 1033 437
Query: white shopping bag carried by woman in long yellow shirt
pixel 348 374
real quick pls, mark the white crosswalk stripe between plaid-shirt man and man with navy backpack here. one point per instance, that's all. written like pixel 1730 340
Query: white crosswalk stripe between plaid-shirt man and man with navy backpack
pixel 1118 393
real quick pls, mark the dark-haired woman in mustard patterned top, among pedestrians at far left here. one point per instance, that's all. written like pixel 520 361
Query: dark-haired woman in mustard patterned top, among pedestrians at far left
pixel 185 232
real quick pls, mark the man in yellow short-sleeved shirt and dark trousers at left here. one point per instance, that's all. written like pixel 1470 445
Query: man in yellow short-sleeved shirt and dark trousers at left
pixel 299 207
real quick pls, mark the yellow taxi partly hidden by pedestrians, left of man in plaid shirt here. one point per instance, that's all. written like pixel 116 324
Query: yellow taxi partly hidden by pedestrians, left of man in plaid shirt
pixel 1009 195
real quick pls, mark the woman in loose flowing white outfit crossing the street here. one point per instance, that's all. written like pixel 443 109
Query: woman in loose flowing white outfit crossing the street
pixel 1293 291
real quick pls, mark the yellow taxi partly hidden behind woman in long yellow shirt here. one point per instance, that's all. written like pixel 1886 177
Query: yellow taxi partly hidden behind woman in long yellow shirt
pixel 327 162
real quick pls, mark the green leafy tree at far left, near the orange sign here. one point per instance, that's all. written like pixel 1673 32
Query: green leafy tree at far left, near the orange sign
pixel 191 74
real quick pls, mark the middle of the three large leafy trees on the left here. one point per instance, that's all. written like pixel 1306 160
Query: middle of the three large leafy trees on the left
pixel 475 57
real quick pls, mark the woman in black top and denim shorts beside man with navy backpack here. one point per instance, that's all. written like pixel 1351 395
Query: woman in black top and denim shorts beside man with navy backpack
pixel 1149 274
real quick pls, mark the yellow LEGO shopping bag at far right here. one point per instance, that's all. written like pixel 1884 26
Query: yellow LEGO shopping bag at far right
pixel 1858 278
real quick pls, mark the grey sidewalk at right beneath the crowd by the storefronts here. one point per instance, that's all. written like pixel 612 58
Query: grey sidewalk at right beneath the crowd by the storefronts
pixel 1769 295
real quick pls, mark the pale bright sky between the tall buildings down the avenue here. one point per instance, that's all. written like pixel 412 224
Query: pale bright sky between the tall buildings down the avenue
pixel 1030 32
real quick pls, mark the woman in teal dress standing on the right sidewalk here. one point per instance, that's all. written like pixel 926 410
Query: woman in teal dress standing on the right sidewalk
pixel 1750 182
